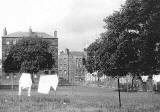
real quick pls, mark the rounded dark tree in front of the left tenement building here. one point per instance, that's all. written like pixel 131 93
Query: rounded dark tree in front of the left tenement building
pixel 30 54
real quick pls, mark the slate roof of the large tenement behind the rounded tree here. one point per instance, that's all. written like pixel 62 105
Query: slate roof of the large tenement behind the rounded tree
pixel 27 34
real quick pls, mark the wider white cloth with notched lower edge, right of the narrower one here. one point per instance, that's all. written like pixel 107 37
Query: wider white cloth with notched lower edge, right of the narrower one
pixel 46 82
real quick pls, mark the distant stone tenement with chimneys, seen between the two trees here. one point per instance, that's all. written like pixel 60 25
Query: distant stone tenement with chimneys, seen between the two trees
pixel 70 65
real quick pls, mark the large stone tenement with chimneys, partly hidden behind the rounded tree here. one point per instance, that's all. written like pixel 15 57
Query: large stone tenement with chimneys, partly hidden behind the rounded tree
pixel 10 39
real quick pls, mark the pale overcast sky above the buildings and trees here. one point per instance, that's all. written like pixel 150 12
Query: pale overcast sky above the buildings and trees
pixel 78 22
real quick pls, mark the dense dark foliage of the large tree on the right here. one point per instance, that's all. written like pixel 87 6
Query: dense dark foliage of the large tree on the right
pixel 131 41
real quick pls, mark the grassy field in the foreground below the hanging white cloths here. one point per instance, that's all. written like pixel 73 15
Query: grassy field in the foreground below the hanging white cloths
pixel 79 99
